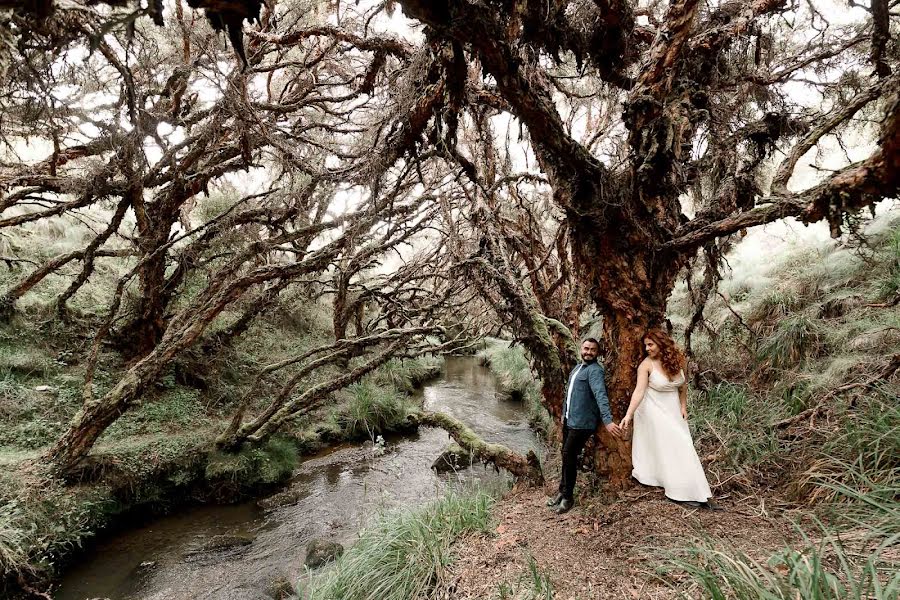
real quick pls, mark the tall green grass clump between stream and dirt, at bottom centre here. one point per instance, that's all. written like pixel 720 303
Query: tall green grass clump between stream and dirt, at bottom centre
pixel 404 555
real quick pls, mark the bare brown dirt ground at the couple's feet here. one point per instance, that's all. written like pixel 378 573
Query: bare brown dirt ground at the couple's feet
pixel 606 548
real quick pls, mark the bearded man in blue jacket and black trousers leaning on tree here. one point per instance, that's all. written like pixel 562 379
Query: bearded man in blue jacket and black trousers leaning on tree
pixel 585 404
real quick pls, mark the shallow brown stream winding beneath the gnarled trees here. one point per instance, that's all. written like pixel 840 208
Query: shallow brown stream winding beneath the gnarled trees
pixel 334 495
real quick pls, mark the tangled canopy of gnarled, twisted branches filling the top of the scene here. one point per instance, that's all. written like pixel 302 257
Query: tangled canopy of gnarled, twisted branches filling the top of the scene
pixel 536 160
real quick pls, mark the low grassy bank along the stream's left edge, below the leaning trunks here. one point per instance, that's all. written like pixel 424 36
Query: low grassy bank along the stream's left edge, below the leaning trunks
pixel 134 475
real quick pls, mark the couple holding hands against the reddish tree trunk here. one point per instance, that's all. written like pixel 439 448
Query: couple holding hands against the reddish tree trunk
pixel 662 451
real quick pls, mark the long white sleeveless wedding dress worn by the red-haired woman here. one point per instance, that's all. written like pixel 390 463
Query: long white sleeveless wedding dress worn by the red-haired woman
pixel 662 451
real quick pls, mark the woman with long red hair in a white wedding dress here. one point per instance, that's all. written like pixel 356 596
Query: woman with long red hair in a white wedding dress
pixel 662 451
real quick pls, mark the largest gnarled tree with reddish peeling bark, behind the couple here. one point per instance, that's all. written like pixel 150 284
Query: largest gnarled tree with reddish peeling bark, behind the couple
pixel 658 128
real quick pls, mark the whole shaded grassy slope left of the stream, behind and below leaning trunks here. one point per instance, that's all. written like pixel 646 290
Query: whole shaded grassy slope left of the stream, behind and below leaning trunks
pixel 160 454
